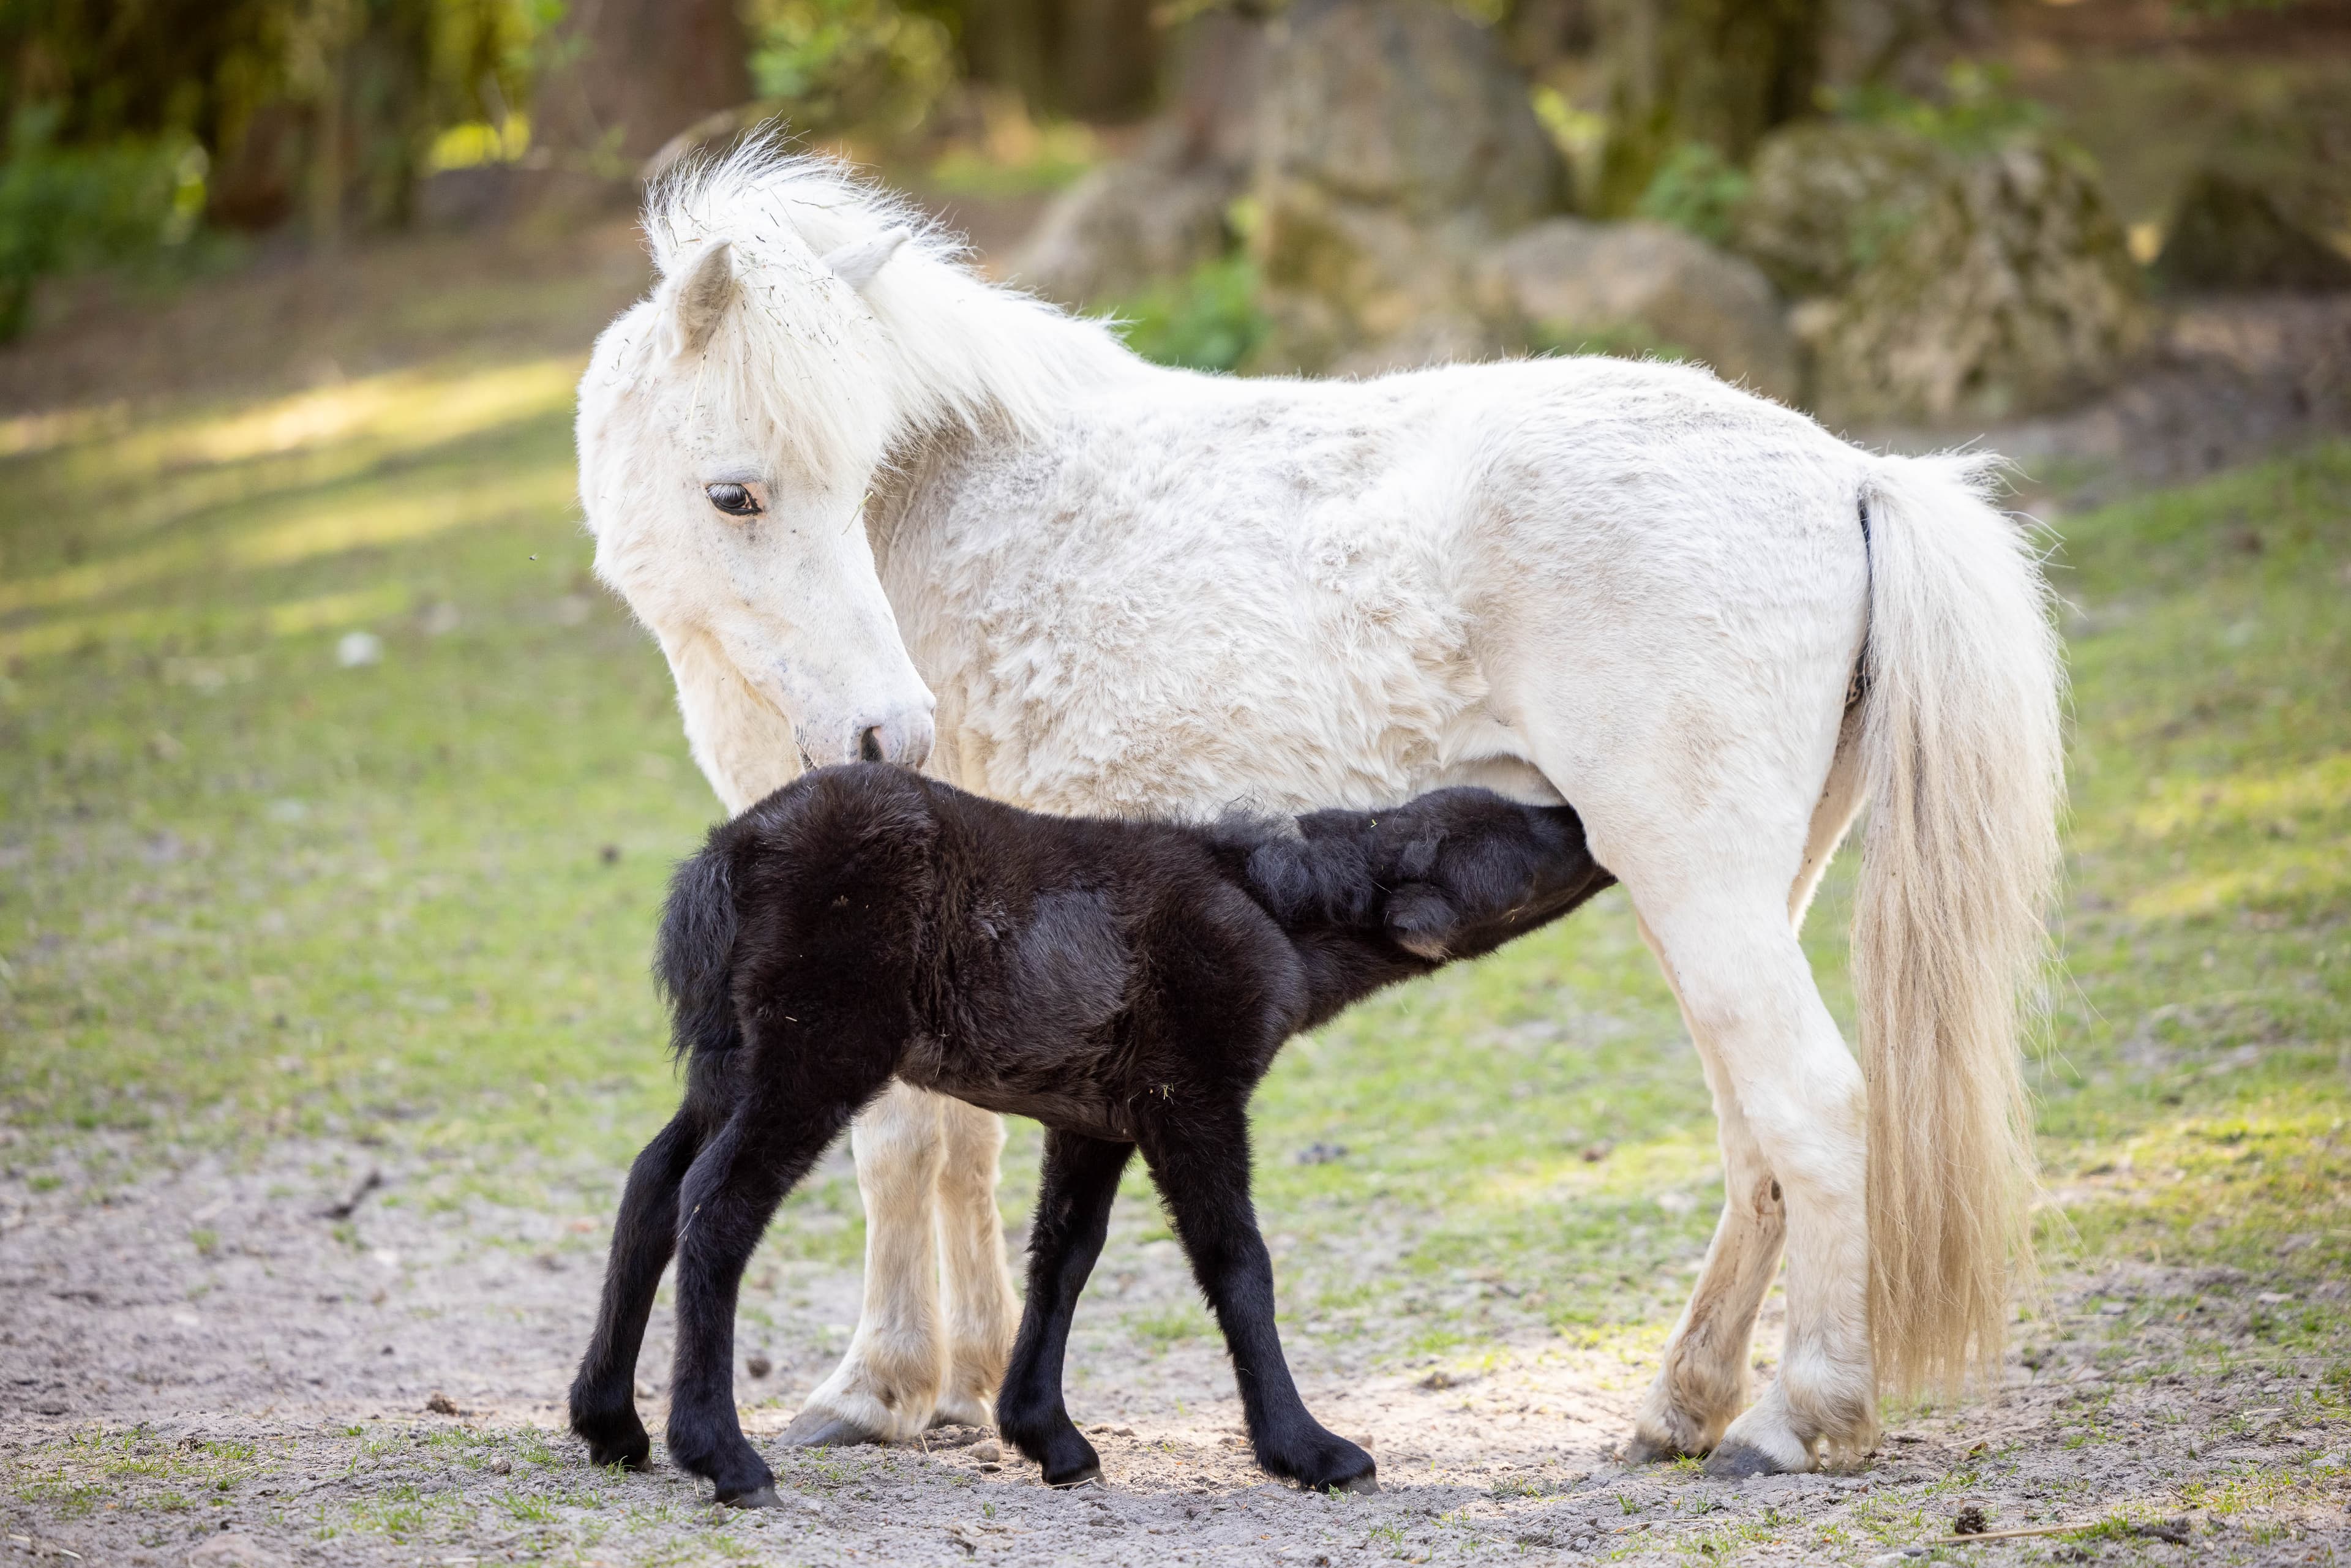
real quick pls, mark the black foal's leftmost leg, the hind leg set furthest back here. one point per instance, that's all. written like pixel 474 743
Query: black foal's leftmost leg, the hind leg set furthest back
pixel 643 1235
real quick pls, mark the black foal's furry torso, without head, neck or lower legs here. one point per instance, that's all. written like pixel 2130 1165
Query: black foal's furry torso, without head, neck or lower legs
pixel 1031 965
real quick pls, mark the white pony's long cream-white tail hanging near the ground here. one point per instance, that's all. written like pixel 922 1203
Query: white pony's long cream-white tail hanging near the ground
pixel 1964 777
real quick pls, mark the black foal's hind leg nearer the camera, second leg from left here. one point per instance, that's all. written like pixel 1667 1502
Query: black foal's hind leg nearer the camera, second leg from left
pixel 725 1205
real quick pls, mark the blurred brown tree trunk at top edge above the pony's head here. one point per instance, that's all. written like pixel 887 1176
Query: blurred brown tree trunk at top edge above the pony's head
pixel 631 74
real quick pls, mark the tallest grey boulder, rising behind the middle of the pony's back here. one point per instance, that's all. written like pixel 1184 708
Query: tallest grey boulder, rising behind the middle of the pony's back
pixel 1395 147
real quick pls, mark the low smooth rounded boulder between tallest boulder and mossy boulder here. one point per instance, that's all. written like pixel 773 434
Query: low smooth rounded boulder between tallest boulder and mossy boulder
pixel 1652 286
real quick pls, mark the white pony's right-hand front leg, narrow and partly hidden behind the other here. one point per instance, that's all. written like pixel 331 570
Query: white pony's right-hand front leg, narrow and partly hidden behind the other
pixel 982 1304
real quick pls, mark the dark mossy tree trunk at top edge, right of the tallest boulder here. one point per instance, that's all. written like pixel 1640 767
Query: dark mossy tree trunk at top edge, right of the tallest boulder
pixel 1710 72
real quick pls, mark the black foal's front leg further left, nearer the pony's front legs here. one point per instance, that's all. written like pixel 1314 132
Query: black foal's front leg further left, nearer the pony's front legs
pixel 1073 1217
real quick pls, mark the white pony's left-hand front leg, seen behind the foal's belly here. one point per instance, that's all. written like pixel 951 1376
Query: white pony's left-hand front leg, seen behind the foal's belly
pixel 890 1381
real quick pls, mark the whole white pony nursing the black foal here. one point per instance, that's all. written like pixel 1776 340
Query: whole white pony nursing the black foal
pixel 876 507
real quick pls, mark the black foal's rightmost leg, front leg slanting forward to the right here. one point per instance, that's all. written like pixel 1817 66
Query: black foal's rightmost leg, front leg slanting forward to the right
pixel 1203 1177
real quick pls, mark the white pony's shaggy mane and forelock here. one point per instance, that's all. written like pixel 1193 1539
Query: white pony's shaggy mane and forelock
pixel 848 375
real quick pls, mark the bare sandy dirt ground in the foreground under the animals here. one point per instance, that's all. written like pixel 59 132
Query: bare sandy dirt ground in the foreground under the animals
pixel 208 1367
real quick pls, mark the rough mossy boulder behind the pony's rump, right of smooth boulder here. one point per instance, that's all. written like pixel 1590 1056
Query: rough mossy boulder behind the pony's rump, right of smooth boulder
pixel 1943 283
